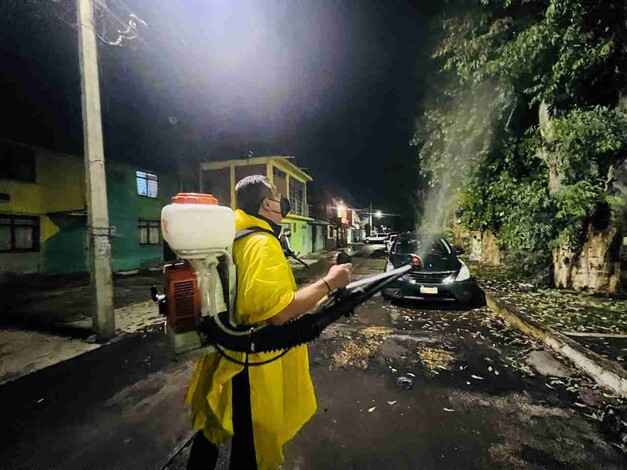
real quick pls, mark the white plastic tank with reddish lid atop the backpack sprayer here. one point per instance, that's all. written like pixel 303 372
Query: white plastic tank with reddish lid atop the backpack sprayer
pixel 195 225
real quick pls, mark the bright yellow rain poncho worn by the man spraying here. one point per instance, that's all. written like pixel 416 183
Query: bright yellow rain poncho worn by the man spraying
pixel 282 394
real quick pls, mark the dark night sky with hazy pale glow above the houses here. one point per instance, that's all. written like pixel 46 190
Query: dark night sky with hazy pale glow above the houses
pixel 336 83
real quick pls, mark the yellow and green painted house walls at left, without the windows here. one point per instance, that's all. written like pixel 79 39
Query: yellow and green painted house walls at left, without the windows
pixel 59 191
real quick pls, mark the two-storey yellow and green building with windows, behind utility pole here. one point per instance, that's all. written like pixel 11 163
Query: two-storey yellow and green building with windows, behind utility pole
pixel 43 212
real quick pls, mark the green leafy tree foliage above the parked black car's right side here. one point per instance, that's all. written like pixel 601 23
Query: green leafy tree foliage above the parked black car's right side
pixel 502 62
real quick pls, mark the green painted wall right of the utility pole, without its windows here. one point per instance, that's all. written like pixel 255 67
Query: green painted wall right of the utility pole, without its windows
pixel 126 207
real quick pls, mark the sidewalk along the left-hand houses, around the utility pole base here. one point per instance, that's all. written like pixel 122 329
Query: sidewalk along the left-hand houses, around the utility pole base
pixel 52 315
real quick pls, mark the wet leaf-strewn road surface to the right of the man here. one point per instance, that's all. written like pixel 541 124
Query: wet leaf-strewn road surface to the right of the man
pixel 475 401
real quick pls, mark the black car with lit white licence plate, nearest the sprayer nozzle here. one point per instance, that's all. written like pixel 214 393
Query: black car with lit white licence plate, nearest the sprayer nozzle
pixel 441 276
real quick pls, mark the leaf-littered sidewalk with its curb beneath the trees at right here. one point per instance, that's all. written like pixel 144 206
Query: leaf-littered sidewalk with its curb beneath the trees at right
pixel 591 331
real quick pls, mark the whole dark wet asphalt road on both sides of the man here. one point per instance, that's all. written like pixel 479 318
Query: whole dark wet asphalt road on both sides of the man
pixel 467 398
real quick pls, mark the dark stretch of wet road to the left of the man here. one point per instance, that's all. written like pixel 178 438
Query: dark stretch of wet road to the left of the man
pixel 119 406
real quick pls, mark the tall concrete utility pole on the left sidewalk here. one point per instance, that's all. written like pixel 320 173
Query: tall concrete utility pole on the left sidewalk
pixel 99 247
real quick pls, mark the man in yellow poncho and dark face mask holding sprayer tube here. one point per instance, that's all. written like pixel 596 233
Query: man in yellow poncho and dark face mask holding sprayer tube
pixel 260 406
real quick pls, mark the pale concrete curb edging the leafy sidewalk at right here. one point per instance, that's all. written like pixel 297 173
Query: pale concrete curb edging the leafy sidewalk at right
pixel 605 372
